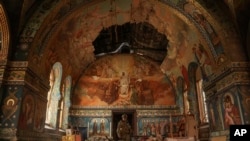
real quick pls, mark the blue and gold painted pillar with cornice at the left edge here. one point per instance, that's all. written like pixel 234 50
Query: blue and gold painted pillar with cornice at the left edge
pixel 23 103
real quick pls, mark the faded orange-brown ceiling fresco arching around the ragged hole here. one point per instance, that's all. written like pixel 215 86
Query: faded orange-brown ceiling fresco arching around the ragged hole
pixel 81 29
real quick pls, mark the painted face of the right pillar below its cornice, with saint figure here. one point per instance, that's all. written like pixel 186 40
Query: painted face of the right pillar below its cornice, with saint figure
pixel 229 108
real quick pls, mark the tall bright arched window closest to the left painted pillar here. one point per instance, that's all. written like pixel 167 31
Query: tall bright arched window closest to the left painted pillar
pixel 53 96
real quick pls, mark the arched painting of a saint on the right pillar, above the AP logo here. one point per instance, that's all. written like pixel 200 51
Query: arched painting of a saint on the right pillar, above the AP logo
pixel 231 110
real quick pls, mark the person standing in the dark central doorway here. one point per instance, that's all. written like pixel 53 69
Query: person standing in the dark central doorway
pixel 123 129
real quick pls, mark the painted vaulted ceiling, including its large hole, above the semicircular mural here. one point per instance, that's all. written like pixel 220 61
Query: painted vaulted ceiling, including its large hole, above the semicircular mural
pixel 76 32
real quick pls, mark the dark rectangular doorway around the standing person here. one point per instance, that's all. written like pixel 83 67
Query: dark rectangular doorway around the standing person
pixel 117 116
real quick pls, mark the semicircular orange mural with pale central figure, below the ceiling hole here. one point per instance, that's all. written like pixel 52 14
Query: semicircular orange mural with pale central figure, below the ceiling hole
pixel 124 80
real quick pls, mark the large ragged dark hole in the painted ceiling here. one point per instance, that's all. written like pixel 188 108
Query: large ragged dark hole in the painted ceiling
pixel 140 38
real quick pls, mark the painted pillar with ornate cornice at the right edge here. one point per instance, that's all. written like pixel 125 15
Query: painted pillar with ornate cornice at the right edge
pixel 228 98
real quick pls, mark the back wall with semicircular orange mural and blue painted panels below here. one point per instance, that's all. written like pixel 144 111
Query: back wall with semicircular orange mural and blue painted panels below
pixel 124 83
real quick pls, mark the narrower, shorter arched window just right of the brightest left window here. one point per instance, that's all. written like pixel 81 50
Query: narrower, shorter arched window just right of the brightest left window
pixel 65 103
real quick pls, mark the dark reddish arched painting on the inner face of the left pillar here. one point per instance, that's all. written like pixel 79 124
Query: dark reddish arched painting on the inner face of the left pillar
pixel 26 119
